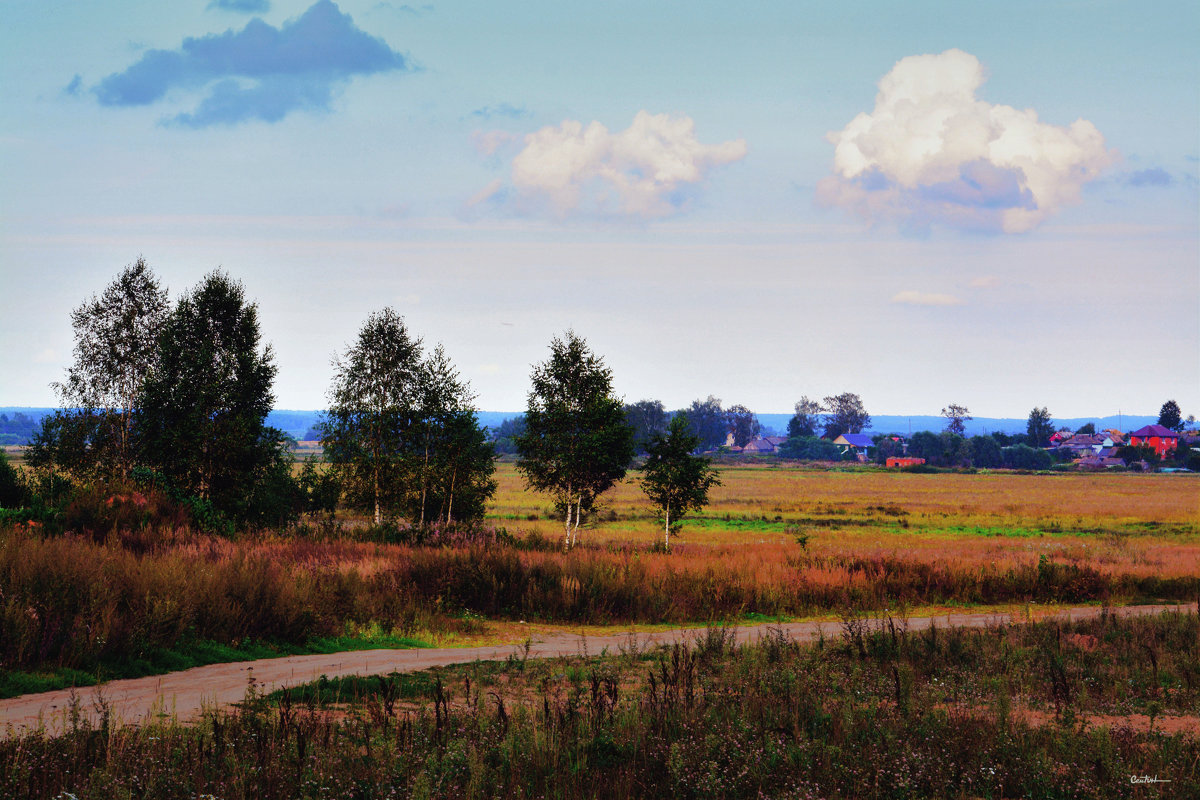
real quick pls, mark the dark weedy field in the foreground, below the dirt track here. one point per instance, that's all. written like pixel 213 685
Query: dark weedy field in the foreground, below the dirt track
pixel 880 709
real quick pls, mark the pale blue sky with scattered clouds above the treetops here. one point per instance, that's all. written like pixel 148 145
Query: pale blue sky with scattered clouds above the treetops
pixel 922 203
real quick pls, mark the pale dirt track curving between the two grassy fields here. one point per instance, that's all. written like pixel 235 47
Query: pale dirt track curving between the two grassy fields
pixel 184 695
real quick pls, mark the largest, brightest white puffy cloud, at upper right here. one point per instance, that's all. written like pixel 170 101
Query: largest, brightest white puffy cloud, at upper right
pixel 931 153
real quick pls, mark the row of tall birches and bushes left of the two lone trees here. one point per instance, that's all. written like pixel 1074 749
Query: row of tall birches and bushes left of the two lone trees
pixel 177 396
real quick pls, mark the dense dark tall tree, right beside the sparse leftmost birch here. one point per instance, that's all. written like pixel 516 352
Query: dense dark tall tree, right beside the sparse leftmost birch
pixel 205 406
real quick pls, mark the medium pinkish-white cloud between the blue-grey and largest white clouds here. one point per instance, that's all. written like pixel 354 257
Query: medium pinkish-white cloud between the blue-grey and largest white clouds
pixel 647 171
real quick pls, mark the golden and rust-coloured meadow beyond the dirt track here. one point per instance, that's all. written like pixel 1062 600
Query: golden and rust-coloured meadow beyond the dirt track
pixel 124 592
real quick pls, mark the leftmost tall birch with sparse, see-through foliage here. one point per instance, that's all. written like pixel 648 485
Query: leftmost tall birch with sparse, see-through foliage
pixel 115 352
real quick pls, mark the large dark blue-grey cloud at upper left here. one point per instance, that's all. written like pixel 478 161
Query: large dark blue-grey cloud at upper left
pixel 260 73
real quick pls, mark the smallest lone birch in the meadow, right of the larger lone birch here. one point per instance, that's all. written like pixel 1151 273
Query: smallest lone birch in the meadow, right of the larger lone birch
pixel 674 479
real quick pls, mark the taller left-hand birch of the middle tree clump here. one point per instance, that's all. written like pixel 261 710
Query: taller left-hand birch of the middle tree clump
pixel 373 414
